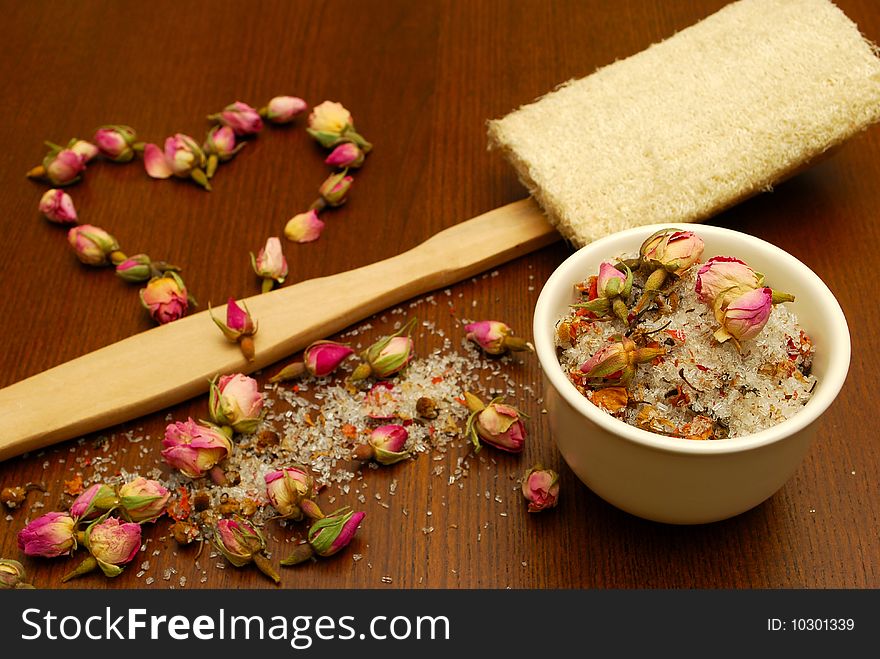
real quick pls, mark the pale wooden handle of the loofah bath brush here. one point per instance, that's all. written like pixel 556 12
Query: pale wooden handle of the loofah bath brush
pixel 168 364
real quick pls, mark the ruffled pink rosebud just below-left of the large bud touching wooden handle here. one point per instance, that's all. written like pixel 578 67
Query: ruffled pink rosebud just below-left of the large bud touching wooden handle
pixel 193 448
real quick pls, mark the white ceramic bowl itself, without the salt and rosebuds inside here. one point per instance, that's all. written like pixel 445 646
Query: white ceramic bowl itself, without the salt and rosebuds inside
pixel 682 481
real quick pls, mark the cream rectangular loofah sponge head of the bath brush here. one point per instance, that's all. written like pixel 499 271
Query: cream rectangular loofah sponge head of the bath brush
pixel 696 123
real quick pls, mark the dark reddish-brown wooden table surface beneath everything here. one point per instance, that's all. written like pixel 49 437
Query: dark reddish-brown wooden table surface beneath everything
pixel 421 79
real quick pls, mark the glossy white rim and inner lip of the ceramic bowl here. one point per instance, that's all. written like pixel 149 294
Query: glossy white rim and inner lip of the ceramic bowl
pixel 545 346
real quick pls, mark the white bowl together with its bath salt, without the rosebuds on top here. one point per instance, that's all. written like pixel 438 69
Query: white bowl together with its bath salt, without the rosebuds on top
pixel 738 426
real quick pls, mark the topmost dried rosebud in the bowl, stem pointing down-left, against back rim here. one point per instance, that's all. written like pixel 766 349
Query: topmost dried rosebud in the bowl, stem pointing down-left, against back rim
pixel 667 252
